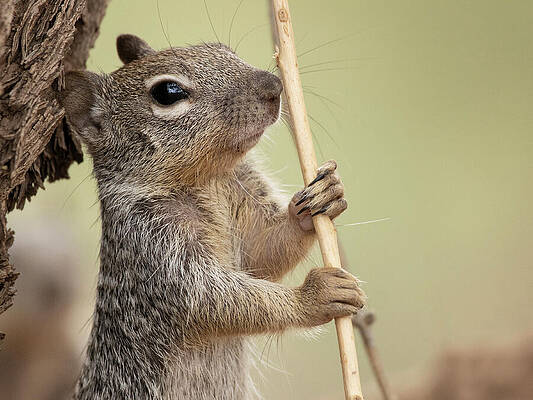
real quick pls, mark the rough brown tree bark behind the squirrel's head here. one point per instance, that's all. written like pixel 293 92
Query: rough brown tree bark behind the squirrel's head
pixel 39 41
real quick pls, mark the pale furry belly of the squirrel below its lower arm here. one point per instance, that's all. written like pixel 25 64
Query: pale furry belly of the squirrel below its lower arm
pixel 220 370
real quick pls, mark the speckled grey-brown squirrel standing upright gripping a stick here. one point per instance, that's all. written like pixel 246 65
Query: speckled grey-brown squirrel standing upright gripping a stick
pixel 195 238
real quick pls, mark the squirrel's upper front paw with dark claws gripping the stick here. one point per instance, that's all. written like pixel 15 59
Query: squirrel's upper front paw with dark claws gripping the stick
pixel 324 195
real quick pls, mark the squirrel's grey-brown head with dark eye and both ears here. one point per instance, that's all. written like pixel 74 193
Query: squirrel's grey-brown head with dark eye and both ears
pixel 176 116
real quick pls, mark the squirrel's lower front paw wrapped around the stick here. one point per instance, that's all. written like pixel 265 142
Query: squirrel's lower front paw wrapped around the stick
pixel 329 293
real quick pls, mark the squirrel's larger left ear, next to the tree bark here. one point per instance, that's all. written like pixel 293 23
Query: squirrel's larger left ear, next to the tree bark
pixel 78 97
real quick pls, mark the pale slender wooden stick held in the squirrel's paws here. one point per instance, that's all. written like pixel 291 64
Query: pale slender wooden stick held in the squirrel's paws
pixel 327 235
